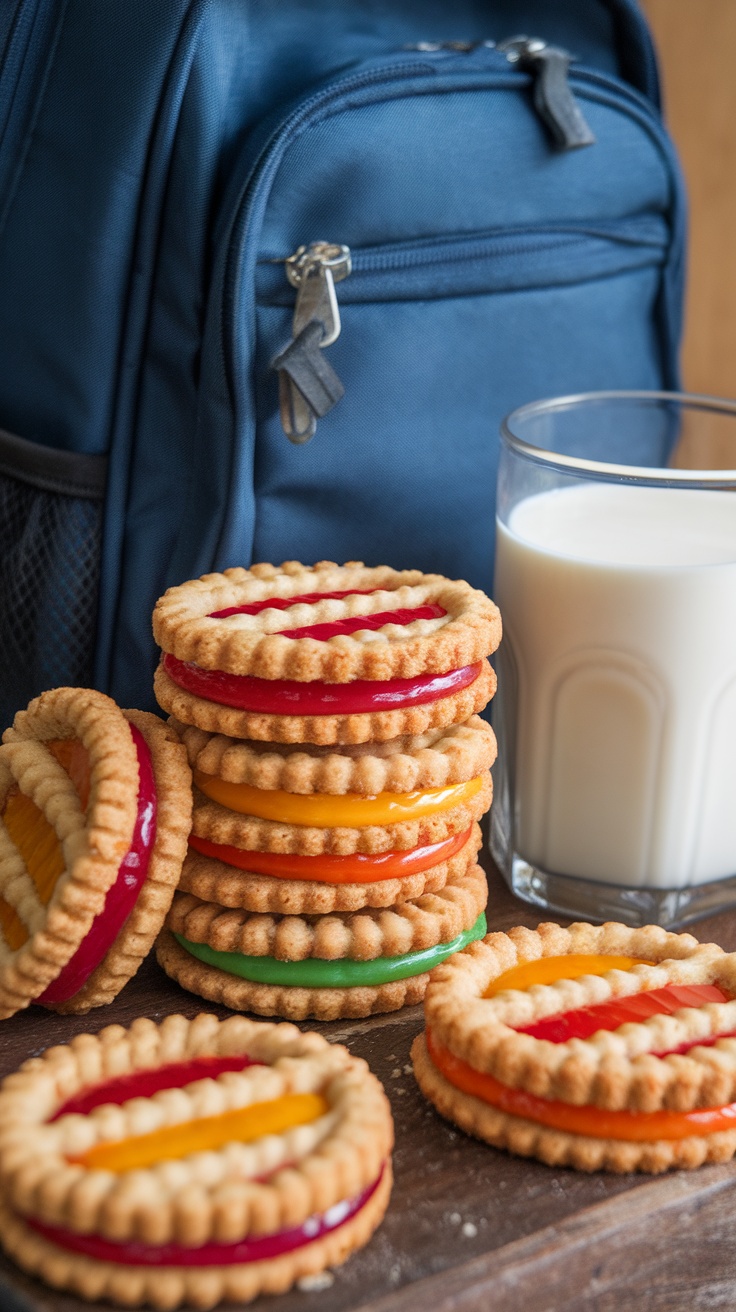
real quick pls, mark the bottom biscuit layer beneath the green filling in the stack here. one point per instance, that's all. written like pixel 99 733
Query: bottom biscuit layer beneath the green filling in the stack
pixel 295 1004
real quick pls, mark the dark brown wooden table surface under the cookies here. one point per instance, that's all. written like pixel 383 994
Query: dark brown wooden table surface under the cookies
pixel 469 1227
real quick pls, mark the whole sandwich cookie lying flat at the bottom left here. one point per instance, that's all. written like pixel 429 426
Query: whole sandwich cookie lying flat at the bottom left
pixel 191 1162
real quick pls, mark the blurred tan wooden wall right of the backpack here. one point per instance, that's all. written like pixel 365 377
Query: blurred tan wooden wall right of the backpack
pixel 697 47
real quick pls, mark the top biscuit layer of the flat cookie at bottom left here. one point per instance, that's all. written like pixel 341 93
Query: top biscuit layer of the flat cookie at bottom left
pixel 51 1159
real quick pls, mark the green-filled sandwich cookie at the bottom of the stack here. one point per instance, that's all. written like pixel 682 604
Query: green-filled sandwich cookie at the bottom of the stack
pixel 326 966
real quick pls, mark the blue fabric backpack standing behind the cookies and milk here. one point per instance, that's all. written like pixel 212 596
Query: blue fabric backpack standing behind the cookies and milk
pixel 196 197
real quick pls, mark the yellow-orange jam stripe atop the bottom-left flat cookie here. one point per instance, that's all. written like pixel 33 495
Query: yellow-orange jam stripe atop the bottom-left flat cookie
pixel 208 1134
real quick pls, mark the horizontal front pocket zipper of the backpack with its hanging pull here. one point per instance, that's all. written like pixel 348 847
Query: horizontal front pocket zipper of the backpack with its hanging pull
pixel 309 388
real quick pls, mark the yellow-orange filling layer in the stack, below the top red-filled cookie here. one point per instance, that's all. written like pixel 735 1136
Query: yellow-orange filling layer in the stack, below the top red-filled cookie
pixel 329 810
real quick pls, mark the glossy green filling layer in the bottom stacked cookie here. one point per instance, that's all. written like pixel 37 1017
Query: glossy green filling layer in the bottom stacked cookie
pixel 342 974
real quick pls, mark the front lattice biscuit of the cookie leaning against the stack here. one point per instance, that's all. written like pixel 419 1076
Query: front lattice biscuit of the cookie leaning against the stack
pixel 41 926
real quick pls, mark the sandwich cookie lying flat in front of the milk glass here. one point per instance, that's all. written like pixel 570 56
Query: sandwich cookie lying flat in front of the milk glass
pixel 598 1048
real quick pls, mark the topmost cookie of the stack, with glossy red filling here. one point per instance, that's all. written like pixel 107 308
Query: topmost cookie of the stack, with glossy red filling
pixel 325 654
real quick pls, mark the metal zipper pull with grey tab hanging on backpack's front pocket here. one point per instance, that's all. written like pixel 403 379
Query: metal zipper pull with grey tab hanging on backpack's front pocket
pixel 308 385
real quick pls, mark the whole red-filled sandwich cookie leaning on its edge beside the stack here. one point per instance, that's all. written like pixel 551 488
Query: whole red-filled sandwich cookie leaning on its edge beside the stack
pixel 95 813
